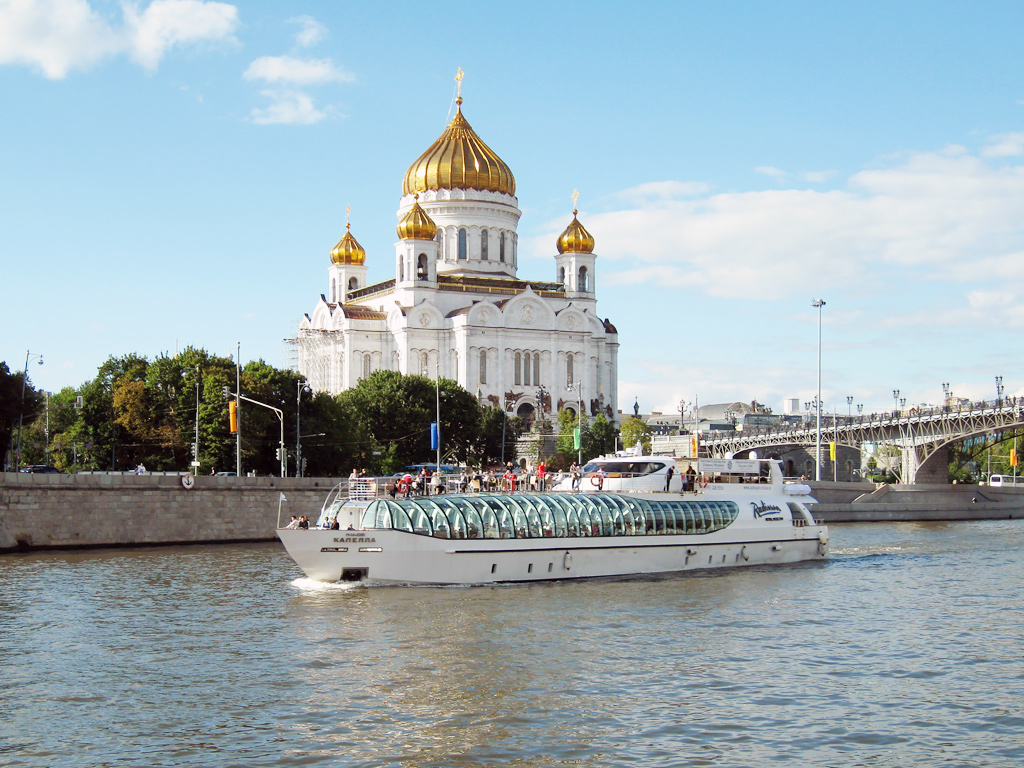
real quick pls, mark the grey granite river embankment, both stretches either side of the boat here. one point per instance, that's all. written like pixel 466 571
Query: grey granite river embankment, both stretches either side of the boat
pixel 40 511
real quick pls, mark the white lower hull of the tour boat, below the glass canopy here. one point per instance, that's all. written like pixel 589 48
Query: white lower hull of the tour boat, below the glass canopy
pixel 390 557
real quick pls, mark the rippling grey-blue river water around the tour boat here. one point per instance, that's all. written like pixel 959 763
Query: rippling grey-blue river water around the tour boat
pixel 906 649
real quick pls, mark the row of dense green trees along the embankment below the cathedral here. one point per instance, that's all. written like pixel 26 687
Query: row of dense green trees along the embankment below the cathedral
pixel 138 411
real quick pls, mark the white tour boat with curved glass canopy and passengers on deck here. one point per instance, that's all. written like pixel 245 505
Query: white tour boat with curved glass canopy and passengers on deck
pixel 739 513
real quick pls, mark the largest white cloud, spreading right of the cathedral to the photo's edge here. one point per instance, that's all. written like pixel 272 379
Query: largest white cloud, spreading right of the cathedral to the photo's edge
pixel 948 219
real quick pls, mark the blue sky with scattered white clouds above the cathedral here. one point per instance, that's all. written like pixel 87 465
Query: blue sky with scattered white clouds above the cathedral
pixel 176 174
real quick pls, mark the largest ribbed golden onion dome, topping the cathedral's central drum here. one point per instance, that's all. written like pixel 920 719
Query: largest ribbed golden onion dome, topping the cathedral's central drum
pixel 459 160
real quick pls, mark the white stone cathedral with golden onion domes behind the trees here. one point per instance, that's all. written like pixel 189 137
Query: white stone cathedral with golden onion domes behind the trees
pixel 456 308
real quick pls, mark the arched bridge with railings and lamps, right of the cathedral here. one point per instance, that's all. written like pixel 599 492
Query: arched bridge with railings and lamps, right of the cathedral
pixel 923 436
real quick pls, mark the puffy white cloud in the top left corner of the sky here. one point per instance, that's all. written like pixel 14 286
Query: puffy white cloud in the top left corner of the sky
pixel 58 36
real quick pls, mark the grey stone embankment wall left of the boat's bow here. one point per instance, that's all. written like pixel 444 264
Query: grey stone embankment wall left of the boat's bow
pixel 40 511
